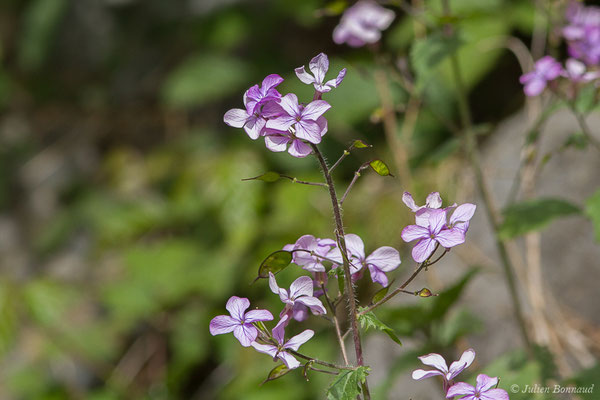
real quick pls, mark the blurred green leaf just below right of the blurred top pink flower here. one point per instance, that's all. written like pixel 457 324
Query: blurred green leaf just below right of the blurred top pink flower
pixel 426 54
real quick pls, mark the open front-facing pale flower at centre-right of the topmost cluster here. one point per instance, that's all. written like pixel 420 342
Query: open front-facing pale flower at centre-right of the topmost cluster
pixel 303 119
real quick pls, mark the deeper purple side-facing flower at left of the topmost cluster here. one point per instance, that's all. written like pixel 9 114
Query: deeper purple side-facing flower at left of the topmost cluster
pixel 259 106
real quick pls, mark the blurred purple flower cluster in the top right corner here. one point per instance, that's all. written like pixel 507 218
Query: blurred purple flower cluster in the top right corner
pixel 583 37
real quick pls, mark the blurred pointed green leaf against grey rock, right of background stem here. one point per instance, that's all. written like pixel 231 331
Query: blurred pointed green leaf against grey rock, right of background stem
pixel 533 215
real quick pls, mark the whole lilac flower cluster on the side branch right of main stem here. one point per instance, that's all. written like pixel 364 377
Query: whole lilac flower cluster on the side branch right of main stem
pixel 432 228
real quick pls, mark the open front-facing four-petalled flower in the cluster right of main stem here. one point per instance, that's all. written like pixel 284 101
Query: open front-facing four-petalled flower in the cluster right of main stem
pixel 435 232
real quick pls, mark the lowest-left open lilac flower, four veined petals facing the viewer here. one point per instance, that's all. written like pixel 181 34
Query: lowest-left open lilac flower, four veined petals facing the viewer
pixel 239 323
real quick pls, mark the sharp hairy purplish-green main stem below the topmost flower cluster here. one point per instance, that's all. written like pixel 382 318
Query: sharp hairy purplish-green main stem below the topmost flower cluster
pixel 350 295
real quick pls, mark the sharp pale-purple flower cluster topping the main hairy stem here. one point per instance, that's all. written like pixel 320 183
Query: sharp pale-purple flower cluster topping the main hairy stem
pixel 284 122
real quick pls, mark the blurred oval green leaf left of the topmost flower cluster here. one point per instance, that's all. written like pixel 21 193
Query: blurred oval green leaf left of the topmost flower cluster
pixel 202 79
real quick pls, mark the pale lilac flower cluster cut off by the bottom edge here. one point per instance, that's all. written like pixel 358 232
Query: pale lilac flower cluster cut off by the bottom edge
pixel 485 389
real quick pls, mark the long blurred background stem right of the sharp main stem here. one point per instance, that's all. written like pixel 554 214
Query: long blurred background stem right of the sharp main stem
pixel 473 155
